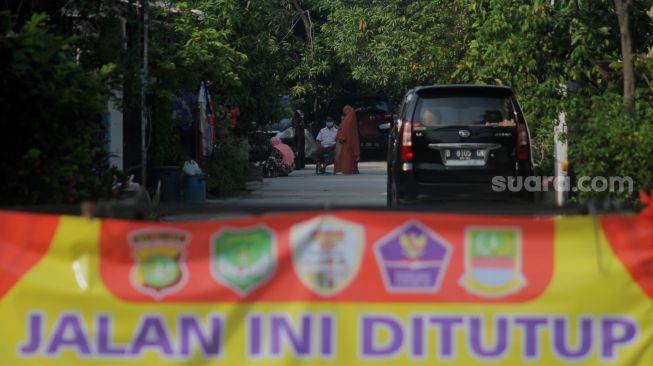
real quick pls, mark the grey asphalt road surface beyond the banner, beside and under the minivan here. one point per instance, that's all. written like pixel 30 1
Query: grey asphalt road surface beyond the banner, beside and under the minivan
pixel 304 189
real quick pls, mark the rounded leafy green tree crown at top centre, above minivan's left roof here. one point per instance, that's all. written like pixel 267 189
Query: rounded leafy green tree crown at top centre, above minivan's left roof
pixel 394 45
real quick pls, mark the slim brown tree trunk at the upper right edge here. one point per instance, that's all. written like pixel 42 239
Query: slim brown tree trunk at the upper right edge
pixel 622 8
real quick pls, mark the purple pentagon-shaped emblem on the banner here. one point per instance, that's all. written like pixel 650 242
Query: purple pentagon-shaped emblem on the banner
pixel 412 259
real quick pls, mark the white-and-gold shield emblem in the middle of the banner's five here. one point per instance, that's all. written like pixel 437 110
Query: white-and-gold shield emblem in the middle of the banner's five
pixel 327 253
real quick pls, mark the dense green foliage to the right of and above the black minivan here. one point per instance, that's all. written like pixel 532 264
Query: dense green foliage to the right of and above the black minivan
pixel 565 56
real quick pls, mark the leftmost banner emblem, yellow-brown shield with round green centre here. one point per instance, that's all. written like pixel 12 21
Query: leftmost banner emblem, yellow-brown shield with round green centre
pixel 158 269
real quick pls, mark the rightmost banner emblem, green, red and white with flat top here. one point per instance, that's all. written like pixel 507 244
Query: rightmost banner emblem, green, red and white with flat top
pixel 493 261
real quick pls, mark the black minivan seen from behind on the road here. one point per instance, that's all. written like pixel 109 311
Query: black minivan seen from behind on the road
pixel 452 140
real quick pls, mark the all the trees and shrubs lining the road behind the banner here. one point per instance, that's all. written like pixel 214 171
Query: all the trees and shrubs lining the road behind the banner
pixel 62 61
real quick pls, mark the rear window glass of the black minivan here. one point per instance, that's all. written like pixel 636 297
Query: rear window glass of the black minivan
pixel 463 110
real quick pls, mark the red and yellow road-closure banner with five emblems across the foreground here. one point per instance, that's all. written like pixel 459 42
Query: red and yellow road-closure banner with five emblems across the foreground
pixel 336 288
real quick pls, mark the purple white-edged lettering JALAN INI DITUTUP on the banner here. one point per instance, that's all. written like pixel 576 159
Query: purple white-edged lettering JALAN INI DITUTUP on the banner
pixel 312 335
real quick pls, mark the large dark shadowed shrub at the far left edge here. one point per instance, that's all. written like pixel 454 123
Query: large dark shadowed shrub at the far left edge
pixel 52 140
